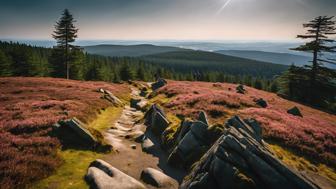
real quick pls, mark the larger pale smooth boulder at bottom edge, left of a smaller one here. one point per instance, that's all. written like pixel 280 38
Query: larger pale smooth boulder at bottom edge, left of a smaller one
pixel 102 175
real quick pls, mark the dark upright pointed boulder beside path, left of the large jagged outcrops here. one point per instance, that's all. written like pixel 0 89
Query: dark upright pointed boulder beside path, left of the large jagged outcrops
pixel 156 120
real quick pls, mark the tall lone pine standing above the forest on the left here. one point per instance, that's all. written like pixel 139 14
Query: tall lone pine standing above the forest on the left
pixel 65 33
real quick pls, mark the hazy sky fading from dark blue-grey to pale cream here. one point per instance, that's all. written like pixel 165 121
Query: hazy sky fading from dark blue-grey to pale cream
pixel 164 19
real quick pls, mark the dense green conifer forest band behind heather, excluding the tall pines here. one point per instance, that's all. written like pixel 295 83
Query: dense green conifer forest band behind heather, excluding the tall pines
pixel 24 60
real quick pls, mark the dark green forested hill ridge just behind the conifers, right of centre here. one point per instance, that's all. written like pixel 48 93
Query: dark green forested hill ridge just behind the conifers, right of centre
pixel 209 61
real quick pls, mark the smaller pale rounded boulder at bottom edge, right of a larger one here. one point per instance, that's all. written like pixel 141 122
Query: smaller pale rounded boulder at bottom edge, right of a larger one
pixel 157 178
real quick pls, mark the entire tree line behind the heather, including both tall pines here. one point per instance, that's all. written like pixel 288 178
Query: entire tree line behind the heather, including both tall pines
pixel 313 84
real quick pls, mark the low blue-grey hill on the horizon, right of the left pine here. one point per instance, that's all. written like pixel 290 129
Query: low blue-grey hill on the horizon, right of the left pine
pixel 129 50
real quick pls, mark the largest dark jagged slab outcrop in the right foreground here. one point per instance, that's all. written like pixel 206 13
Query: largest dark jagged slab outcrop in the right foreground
pixel 241 159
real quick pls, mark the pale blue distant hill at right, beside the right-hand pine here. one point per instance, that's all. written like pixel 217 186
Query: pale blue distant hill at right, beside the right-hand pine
pixel 277 58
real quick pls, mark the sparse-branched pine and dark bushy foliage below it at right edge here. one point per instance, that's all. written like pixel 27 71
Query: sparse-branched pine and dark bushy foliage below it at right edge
pixel 313 84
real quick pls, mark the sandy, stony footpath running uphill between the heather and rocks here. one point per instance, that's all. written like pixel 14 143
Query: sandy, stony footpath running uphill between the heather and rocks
pixel 132 161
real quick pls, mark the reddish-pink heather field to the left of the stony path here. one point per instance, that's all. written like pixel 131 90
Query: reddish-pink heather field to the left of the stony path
pixel 28 107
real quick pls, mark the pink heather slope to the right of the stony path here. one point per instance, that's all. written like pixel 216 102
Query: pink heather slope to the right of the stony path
pixel 313 135
